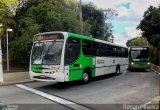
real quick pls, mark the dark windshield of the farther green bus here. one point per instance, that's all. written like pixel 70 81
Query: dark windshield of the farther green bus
pixel 140 55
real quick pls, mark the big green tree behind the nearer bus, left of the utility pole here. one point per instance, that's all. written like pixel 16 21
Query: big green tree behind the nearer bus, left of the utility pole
pixel 36 16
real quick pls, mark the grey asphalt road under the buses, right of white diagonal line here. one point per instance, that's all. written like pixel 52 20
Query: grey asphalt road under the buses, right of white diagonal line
pixel 128 88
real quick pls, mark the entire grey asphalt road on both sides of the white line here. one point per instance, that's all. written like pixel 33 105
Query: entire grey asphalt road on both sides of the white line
pixel 136 87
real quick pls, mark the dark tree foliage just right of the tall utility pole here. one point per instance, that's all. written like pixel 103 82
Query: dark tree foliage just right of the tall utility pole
pixel 96 17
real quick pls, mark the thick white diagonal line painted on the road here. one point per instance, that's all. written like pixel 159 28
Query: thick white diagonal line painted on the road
pixel 55 98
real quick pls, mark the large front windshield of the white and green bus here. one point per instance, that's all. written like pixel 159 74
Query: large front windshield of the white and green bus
pixel 47 53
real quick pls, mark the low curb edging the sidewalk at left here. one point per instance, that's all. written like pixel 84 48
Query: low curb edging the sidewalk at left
pixel 15 82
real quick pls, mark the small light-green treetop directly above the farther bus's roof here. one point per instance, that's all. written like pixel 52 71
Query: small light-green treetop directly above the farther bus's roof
pixel 138 41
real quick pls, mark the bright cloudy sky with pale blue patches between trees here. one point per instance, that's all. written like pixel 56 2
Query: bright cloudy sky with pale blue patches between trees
pixel 130 13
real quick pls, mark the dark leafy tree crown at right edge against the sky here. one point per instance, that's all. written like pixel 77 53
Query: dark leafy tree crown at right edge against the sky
pixel 150 25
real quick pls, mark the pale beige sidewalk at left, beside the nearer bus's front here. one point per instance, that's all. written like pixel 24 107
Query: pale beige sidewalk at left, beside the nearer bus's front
pixel 15 77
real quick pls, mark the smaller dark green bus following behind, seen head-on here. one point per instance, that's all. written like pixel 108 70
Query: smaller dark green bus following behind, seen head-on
pixel 139 57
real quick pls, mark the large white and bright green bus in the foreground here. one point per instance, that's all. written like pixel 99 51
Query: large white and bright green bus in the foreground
pixel 65 56
